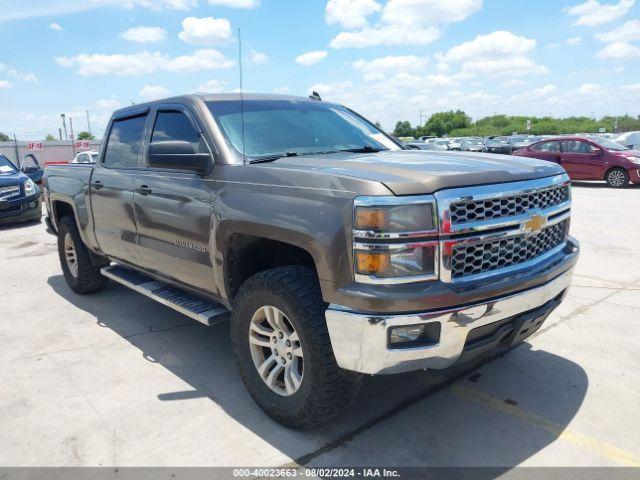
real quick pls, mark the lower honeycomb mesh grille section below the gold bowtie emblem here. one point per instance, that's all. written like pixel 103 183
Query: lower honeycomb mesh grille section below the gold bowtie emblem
pixel 483 257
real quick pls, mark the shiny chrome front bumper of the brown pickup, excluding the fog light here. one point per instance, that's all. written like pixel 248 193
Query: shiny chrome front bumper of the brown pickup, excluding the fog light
pixel 360 341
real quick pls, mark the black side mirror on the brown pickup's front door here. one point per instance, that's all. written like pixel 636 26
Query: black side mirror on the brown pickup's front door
pixel 177 155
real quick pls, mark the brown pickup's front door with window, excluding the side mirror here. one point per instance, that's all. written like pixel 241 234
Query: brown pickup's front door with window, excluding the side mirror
pixel 173 208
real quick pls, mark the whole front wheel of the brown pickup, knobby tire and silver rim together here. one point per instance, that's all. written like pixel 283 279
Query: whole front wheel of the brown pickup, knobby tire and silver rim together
pixel 283 351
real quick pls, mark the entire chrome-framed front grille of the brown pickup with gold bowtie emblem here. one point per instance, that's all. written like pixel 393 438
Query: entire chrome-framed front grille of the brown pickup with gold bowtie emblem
pixel 493 229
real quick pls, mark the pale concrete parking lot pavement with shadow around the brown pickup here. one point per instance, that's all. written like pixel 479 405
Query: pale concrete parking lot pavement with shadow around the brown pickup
pixel 116 379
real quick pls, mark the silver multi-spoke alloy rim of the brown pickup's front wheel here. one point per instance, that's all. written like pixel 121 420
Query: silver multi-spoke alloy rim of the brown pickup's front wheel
pixel 276 350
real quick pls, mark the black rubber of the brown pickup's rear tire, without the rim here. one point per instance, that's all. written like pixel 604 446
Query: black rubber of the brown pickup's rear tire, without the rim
pixel 87 278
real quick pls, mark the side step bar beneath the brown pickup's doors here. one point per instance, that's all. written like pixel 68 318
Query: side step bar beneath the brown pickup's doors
pixel 206 312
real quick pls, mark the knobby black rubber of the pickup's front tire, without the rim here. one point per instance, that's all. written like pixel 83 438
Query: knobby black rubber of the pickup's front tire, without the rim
pixel 326 390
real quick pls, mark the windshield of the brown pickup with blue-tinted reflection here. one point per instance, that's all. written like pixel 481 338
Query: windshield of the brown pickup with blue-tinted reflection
pixel 281 127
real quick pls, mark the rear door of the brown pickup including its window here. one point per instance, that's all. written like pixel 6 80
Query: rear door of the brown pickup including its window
pixel 112 185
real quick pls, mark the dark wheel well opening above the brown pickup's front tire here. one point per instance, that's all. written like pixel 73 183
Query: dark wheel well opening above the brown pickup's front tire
pixel 248 255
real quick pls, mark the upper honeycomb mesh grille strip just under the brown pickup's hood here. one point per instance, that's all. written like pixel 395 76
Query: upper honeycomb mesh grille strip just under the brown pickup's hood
pixel 508 206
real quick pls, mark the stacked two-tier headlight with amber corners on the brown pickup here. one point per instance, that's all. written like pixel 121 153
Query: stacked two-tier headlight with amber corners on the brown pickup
pixel 395 239
